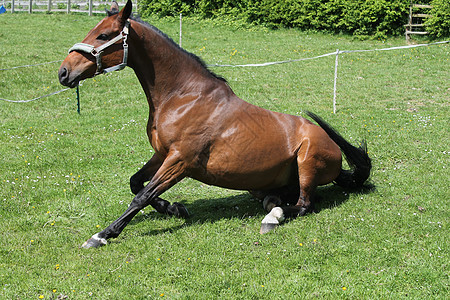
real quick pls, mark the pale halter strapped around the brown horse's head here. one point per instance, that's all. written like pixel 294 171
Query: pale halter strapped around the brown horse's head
pixel 98 52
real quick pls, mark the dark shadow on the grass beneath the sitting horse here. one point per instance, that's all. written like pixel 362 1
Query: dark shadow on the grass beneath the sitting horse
pixel 244 205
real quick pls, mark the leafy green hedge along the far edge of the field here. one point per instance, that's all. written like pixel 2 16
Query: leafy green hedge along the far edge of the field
pixel 376 18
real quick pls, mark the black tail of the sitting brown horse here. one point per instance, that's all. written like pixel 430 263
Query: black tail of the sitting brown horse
pixel 357 158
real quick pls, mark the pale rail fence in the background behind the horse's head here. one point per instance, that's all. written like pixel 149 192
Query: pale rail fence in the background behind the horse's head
pixel 84 6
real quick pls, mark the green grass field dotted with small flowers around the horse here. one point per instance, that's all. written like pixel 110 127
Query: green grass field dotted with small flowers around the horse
pixel 65 176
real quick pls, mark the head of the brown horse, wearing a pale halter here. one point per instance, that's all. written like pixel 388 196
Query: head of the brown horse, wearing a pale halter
pixel 104 49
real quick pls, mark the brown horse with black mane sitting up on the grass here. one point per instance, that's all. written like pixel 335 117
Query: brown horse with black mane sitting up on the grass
pixel 200 129
